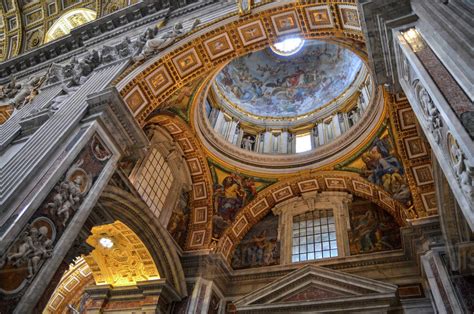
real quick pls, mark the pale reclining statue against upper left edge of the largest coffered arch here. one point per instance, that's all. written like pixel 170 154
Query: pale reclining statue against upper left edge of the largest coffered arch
pixel 155 44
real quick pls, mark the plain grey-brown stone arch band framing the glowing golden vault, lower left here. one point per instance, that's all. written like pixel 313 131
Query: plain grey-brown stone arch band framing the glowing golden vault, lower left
pixel 133 212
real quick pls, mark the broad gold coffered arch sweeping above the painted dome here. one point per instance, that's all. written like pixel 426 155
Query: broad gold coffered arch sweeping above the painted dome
pixel 146 85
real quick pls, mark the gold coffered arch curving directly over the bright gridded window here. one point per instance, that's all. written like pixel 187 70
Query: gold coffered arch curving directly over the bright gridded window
pixel 294 187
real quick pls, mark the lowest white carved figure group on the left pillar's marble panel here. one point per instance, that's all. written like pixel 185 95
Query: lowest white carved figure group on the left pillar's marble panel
pixel 34 247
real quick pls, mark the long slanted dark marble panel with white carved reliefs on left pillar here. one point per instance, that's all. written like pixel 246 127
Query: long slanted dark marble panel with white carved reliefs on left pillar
pixel 34 245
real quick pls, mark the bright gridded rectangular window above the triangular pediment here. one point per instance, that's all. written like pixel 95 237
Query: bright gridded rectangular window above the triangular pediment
pixel 314 236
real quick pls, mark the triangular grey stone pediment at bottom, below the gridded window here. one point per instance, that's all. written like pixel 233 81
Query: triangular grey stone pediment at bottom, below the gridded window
pixel 318 289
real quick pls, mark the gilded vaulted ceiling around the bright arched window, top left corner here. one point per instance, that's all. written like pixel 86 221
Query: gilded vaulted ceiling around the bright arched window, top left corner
pixel 24 23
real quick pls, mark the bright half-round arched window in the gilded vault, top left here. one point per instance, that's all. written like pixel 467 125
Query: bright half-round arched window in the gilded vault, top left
pixel 68 21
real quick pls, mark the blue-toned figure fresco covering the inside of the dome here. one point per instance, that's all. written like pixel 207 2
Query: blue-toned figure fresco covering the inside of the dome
pixel 266 84
